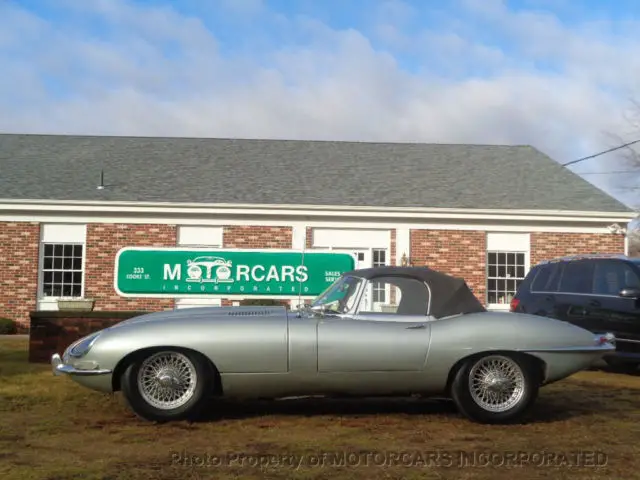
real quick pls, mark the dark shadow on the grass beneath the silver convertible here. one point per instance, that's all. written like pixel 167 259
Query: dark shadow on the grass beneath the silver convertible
pixel 545 410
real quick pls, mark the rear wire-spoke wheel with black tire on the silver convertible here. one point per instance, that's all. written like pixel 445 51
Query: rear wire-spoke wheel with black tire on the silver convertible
pixel 495 388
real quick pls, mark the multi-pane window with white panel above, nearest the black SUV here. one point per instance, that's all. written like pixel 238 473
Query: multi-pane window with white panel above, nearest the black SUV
pixel 507 265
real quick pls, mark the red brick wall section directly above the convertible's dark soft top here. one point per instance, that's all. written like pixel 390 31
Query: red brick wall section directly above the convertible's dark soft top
pixel 459 253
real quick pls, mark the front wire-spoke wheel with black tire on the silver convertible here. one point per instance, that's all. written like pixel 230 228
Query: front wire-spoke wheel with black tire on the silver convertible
pixel 167 385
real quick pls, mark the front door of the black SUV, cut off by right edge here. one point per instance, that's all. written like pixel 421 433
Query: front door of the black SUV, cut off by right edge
pixel 608 311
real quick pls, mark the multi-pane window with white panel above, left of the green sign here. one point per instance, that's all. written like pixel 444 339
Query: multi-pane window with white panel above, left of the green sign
pixel 62 258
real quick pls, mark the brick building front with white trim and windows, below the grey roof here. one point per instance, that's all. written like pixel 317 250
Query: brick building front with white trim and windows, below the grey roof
pixel 48 257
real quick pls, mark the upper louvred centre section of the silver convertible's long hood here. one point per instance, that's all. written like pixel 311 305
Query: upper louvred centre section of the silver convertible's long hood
pixel 208 313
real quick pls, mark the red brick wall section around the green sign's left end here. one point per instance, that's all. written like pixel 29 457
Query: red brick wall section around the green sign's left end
pixel 103 242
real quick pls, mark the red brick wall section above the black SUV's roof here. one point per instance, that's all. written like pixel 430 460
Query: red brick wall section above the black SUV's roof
pixel 545 245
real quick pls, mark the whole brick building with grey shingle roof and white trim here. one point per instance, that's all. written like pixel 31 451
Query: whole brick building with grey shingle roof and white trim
pixel 68 204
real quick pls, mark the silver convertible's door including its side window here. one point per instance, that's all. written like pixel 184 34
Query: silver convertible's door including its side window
pixel 395 339
